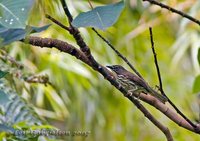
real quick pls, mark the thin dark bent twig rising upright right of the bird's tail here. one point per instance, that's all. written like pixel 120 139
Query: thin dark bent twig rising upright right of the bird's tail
pixel 160 82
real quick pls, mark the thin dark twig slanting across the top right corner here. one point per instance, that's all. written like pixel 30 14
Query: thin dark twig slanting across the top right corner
pixel 174 10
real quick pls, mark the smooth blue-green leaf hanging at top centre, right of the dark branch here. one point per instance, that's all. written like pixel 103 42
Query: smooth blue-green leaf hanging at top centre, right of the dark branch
pixel 100 17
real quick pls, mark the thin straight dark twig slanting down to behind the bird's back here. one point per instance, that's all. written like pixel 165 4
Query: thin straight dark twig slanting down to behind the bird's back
pixel 118 53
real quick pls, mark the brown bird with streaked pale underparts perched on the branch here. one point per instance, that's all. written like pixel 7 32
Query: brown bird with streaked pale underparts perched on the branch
pixel 134 84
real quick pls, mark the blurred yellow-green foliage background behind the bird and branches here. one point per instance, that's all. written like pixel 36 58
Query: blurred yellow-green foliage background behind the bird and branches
pixel 79 99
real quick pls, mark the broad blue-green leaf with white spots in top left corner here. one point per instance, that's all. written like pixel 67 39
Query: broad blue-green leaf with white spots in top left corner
pixel 14 13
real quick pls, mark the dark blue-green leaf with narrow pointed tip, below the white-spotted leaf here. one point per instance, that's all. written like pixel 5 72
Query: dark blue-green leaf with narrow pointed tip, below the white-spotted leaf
pixel 10 35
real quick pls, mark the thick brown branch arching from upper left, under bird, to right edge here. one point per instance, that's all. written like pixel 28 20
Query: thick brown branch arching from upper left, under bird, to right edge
pixel 70 49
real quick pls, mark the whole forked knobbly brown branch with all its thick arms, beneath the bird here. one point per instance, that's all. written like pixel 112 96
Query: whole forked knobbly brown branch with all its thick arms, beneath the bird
pixel 84 54
